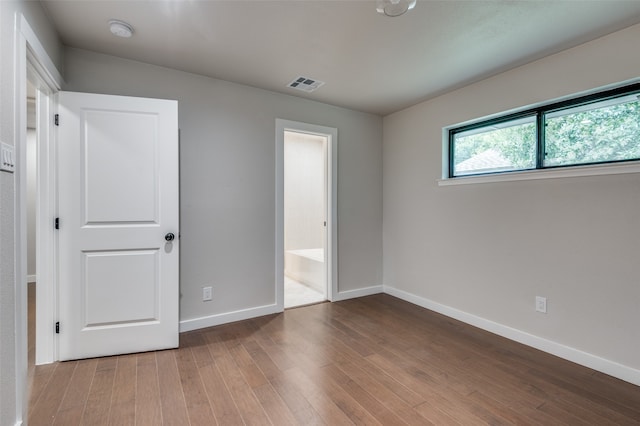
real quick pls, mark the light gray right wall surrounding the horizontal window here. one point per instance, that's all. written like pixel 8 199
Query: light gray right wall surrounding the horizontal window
pixel 488 249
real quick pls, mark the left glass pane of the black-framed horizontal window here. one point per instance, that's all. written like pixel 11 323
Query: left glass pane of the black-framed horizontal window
pixel 495 148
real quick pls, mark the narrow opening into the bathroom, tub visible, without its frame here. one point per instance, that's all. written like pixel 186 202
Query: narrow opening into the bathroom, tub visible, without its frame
pixel 305 218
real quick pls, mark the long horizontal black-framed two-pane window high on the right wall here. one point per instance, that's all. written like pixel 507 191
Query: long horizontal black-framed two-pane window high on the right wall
pixel 594 129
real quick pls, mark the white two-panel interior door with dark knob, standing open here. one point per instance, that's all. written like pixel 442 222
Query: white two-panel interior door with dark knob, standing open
pixel 118 203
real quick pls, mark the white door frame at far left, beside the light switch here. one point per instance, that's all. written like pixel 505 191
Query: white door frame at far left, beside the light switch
pixel 32 58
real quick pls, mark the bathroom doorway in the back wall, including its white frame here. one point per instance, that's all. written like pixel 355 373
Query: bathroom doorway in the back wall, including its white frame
pixel 306 213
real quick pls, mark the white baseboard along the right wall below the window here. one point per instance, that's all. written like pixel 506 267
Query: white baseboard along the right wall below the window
pixel 594 362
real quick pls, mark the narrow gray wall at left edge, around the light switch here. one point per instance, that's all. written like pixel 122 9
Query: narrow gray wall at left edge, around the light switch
pixel 8 134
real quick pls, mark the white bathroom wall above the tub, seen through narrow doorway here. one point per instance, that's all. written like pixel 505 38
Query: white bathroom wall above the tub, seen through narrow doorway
pixel 304 191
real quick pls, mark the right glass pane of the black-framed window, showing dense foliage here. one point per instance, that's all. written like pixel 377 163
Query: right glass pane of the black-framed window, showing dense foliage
pixel 595 133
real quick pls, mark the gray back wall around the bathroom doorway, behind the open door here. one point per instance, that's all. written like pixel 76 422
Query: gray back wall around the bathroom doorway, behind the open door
pixel 227 161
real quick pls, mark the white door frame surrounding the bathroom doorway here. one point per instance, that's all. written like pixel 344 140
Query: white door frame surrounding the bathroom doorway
pixel 331 134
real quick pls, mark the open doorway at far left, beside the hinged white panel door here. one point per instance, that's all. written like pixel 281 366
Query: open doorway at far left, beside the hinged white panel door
pixel 39 209
